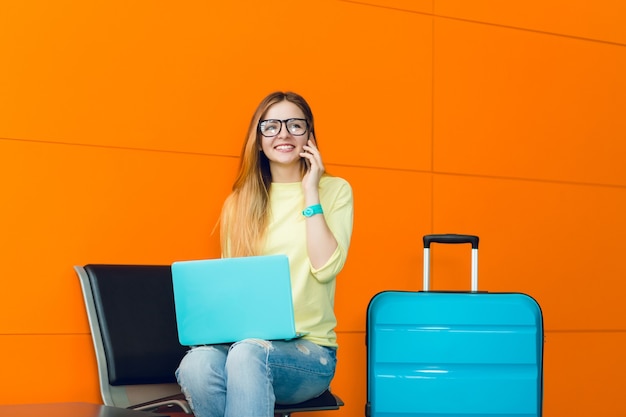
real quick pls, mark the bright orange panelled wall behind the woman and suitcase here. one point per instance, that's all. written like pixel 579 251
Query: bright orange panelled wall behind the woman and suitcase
pixel 503 119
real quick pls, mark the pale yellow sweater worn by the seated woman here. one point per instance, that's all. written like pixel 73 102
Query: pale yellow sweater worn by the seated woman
pixel 313 289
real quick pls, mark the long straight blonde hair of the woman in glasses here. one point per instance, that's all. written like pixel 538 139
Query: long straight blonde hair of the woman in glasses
pixel 246 210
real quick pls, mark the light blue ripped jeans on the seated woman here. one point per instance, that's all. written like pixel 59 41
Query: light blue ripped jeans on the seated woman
pixel 246 379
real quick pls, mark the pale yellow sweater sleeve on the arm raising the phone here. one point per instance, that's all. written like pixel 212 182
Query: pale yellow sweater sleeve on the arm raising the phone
pixel 337 202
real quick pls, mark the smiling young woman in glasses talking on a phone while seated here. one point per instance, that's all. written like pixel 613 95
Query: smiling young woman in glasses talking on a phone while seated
pixel 282 202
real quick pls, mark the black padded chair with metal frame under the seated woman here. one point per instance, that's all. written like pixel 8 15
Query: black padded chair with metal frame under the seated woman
pixel 133 326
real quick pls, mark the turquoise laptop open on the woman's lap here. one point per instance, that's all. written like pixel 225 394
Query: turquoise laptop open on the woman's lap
pixel 230 299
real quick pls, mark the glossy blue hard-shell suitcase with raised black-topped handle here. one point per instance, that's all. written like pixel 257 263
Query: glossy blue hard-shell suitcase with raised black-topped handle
pixel 454 354
